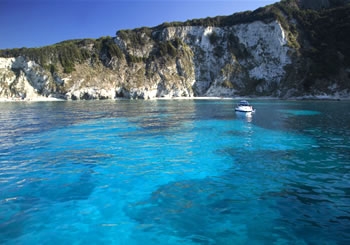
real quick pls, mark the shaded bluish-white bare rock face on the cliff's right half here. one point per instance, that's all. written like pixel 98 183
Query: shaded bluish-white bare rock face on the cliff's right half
pixel 266 44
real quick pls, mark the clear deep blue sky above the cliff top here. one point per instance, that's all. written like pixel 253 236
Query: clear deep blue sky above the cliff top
pixel 37 23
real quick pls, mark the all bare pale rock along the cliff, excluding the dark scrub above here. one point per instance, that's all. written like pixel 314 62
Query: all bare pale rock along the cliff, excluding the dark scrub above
pixel 206 65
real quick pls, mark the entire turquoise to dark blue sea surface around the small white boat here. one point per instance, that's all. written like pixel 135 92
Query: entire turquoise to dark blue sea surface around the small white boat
pixel 174 172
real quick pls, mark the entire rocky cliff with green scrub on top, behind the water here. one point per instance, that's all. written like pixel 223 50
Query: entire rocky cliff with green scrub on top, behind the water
pixel 289 49
